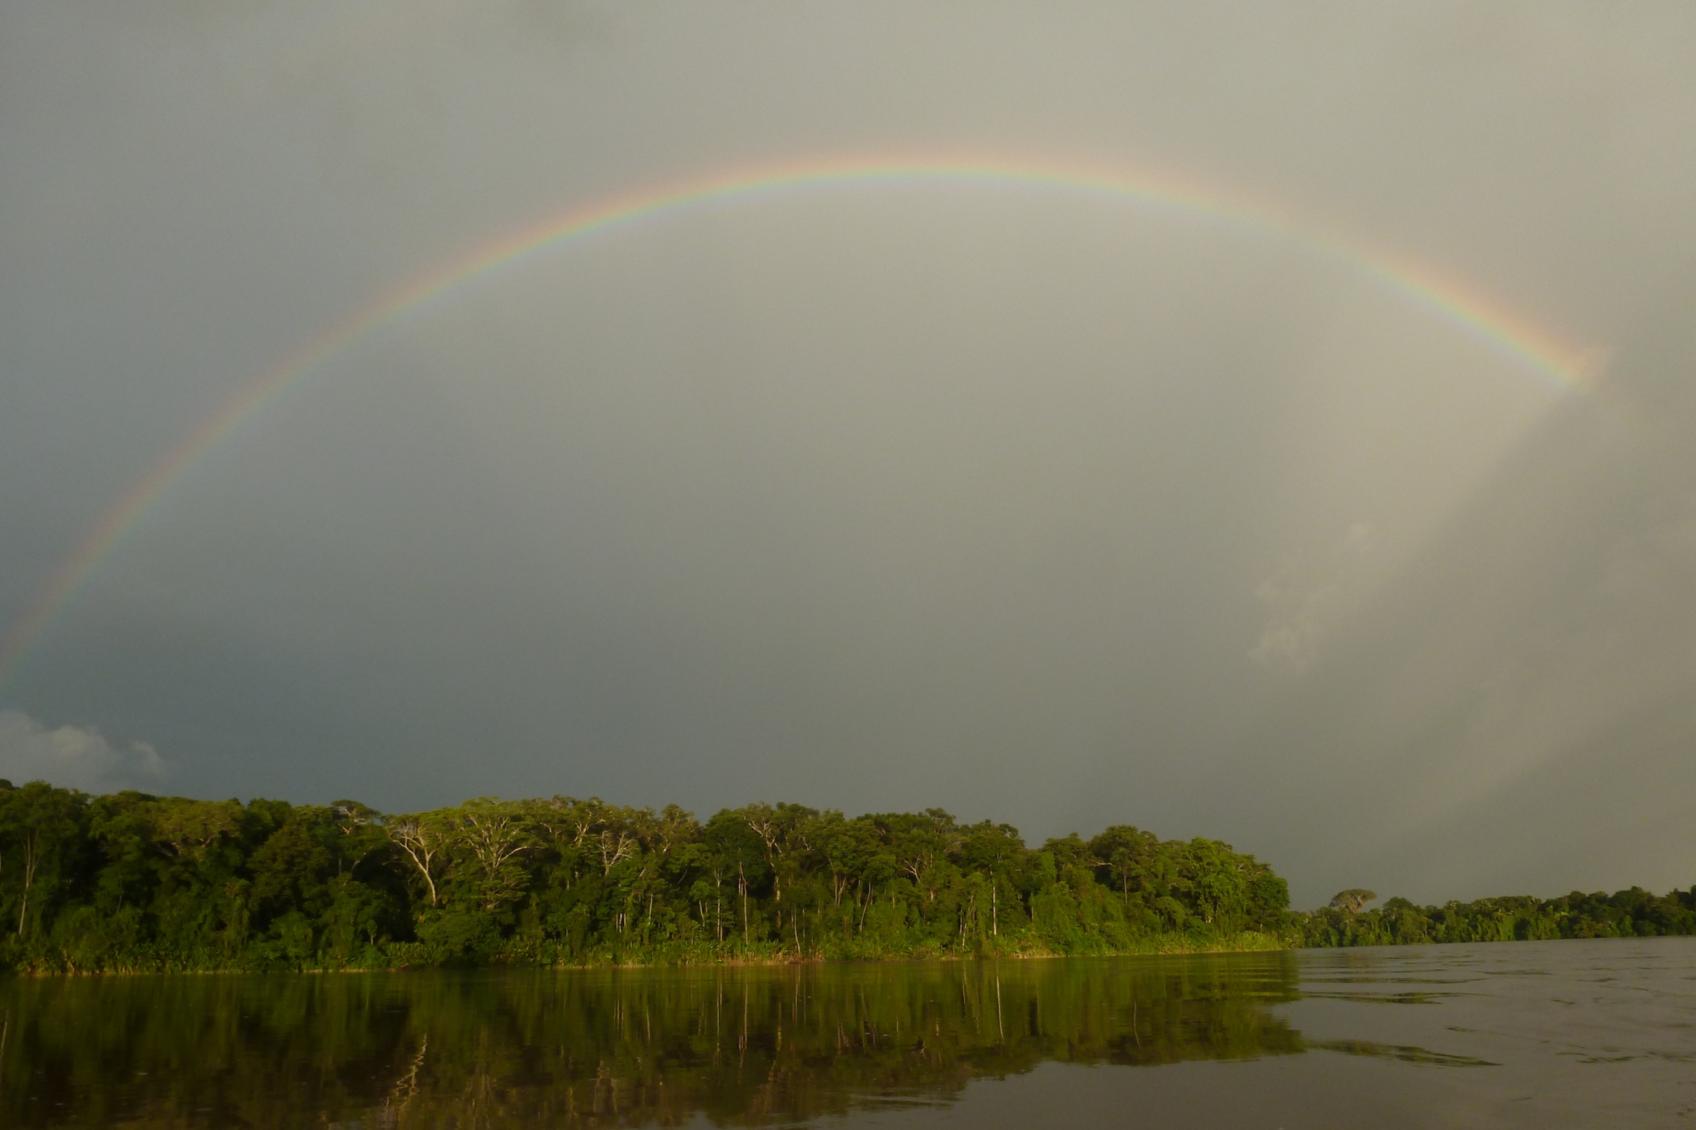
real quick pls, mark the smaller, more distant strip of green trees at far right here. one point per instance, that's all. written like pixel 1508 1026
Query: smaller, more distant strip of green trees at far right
pixel 1631 914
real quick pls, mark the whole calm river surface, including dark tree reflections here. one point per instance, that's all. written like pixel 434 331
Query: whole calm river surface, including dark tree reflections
pixel 1534 1034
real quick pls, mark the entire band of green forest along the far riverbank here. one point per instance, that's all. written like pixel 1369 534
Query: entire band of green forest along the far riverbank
pixel 143 883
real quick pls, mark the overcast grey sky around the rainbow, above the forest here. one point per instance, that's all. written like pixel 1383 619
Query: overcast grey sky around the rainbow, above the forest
pixel 1003 500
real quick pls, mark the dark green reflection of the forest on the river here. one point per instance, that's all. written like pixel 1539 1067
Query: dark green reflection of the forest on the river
pixel 610 1048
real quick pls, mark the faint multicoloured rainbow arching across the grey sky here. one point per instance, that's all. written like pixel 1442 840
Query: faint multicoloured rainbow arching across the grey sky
pixel 1448 298
